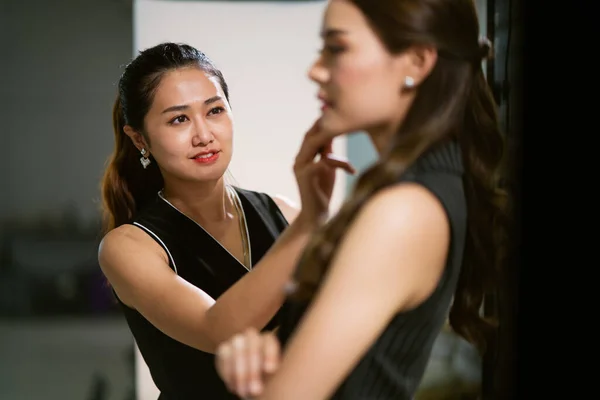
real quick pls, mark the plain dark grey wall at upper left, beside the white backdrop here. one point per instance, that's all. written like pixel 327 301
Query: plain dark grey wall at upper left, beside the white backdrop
pixel 59 62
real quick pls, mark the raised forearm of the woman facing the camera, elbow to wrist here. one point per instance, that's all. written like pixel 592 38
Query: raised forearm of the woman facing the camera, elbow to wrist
pixel 254 299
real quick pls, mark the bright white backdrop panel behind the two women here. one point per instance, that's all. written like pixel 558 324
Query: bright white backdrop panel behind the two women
pixel 264 50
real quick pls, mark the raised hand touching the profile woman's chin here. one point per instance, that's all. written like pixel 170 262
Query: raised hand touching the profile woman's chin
pixel 315 169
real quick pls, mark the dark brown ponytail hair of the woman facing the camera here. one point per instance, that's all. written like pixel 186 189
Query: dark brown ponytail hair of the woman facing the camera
pixel 126 186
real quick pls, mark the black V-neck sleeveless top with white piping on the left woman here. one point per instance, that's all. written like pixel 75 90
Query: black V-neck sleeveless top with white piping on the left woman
pixel 179 371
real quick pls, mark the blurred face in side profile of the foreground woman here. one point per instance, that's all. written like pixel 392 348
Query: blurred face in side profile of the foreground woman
pixel 359 80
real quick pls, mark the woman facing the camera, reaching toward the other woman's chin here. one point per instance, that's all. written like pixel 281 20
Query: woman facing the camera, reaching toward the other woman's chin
pixel 191 259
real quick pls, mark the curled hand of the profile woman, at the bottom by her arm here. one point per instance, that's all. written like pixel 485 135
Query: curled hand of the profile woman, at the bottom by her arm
pixel 247 360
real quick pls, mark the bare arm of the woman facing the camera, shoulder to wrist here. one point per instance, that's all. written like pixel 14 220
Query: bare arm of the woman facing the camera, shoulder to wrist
pixel 138 270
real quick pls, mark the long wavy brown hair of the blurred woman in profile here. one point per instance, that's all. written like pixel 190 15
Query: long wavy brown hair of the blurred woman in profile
pixel 454 102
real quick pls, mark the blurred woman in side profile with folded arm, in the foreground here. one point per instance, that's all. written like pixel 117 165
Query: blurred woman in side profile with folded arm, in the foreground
pixel 420 239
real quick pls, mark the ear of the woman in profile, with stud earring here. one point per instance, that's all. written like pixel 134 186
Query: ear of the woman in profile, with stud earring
pixel 417 63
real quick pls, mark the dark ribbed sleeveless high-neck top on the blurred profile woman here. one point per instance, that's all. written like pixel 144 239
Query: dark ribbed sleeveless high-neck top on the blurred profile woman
pixel 394 366
